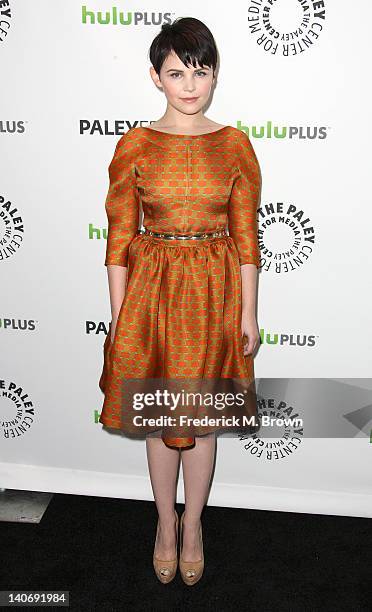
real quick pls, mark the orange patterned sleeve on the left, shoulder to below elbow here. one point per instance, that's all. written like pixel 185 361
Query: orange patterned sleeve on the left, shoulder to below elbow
pixel 122 203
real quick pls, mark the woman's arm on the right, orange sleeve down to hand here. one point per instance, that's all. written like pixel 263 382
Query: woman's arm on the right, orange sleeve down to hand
pixel 244 201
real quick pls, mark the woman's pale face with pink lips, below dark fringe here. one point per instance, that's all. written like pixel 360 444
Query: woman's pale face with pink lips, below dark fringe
pixel 180 82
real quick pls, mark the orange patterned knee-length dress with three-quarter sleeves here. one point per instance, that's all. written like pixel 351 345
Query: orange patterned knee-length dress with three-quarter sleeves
pixel 181 314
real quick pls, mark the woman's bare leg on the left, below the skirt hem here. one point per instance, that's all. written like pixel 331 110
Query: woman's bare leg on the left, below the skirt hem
pixel 163 465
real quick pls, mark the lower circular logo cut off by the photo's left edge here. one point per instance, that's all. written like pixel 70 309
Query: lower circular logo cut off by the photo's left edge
pixel 17 412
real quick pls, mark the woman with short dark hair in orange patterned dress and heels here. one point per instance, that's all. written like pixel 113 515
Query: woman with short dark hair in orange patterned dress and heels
pixel 182 291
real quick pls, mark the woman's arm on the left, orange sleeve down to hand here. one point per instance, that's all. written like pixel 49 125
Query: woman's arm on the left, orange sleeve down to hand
pixel 122 209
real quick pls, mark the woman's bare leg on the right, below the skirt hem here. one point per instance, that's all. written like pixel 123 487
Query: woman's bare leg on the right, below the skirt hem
pixel 197 465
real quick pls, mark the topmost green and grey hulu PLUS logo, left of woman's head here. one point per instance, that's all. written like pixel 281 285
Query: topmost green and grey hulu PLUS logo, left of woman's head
pixel 117 17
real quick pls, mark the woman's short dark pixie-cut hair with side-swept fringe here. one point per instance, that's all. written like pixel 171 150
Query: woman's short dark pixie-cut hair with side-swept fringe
pixel 190 39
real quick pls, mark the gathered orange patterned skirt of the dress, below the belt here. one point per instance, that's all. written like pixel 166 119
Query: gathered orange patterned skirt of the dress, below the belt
pixel 180 319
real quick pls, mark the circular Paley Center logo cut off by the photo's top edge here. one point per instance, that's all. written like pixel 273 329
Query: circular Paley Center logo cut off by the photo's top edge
pixel 286 27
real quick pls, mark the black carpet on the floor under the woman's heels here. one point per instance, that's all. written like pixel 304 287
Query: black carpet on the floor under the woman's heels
pixel 100 550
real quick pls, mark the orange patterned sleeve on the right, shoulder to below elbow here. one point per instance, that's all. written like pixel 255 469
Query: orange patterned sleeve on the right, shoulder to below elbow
pixel 243 203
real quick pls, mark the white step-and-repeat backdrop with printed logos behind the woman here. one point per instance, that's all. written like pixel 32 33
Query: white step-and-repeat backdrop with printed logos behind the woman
pixel 294 75
